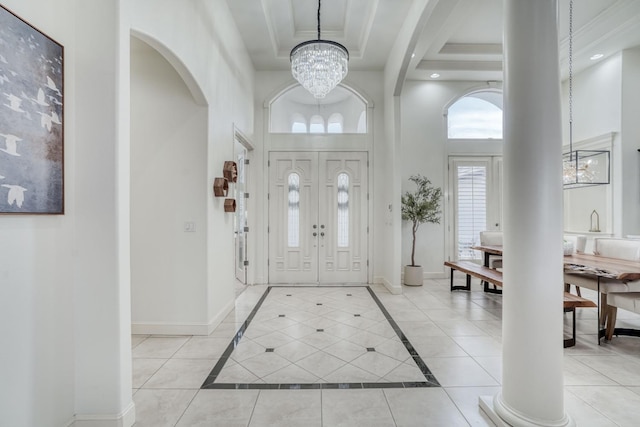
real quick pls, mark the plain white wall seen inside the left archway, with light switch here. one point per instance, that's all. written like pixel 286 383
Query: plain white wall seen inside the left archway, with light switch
pixel 168 188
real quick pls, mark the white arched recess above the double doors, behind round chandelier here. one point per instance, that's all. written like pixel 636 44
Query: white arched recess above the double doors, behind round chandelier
pixel 288 103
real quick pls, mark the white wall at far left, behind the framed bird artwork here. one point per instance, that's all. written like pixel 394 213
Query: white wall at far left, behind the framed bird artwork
pixel 60 275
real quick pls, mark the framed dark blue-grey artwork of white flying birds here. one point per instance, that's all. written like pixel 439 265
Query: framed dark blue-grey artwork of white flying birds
pixel 31 119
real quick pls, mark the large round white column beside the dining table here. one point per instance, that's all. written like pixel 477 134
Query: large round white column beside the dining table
pixel 532 318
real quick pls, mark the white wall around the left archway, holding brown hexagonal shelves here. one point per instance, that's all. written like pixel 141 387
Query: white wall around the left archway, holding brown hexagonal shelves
pixel 202 37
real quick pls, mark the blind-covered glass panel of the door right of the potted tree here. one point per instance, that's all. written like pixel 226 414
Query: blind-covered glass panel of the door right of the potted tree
pixel 472 207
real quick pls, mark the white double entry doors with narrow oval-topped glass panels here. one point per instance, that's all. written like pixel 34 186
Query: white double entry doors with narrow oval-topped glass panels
pixel 318 217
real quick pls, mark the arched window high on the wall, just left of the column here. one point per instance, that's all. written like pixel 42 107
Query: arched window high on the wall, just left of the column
pixel 477 115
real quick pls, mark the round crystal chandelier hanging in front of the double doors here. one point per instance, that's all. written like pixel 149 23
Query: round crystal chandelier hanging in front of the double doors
pixel 319 65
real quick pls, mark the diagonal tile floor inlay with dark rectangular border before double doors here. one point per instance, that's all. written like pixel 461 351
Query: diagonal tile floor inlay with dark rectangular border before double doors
pixel 320 337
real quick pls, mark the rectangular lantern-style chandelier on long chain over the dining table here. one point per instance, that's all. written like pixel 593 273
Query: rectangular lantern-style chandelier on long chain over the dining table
pixel 581 168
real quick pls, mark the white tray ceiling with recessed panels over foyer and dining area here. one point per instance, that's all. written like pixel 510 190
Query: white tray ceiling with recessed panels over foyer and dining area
pixel 461 39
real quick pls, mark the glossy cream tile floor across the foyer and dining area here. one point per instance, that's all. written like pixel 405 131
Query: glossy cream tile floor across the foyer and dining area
pixel 457 336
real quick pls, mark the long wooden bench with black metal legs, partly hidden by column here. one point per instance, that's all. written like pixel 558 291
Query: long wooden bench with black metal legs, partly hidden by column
pixel 489 275
